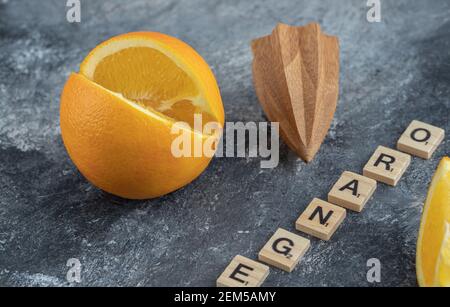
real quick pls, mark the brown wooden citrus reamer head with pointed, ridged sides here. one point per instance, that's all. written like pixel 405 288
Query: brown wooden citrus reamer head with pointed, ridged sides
pixel 296 77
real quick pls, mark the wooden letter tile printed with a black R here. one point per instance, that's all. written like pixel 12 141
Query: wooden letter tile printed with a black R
pixel 387 165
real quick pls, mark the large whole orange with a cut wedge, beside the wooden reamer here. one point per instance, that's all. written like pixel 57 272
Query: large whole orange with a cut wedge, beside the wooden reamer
pixel 117 115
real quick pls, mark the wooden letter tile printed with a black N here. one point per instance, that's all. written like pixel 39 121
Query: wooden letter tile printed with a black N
pixel 320 219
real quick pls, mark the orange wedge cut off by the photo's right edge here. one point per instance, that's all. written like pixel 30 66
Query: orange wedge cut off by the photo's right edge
pixel 433 246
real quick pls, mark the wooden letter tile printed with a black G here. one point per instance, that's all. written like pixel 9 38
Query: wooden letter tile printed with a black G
pixel 284 250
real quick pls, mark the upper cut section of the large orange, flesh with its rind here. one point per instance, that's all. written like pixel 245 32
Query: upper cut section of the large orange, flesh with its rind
pixel 156 71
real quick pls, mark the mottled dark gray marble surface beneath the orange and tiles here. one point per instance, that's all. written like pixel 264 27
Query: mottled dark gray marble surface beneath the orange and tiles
pixel 392 72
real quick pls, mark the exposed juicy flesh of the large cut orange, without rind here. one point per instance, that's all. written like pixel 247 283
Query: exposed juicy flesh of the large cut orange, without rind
pixel 151 79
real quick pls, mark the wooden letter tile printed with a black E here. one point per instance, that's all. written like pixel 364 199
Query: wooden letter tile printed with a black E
pixel 243 272
